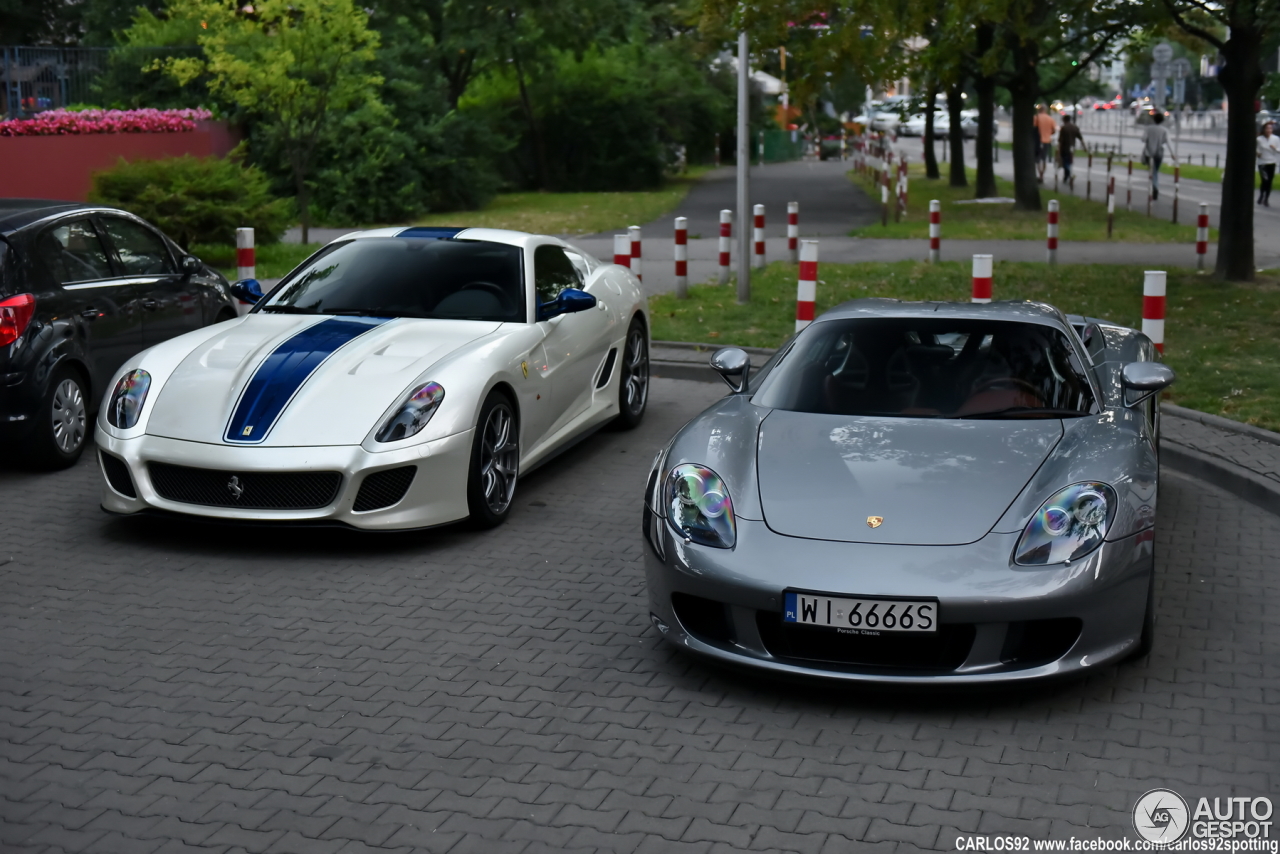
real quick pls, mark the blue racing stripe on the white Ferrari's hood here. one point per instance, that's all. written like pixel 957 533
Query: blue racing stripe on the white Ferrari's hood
pixel 284 373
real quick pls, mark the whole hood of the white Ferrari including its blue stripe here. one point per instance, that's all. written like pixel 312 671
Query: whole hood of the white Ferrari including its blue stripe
pixel 289 381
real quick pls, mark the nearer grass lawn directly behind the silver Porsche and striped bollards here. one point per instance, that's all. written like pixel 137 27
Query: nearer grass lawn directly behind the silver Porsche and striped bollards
pixel 1219 337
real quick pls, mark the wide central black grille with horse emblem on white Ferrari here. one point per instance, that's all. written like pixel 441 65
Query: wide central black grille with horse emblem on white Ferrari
pixel 246 490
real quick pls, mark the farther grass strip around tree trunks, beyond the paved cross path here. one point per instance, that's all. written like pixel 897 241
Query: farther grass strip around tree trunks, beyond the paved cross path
pixel 1078 220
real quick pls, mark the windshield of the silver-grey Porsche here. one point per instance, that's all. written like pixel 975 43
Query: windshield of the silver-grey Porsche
pixel 930 368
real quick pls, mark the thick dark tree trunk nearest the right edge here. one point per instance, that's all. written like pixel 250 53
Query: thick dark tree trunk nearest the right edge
pixel 1251 24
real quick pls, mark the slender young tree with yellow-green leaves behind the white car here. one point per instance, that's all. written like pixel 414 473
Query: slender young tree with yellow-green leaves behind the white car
pixel 298 66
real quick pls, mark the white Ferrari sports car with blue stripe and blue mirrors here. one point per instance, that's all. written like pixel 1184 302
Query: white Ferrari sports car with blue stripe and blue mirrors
pixel 400 378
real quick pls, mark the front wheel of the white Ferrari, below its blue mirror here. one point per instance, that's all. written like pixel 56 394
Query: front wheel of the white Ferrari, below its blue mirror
pixel 495 463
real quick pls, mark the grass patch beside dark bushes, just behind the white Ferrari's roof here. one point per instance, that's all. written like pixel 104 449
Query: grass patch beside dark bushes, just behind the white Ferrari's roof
pixel 574 213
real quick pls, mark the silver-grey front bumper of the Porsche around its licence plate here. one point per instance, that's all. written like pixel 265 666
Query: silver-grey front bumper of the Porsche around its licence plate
pixel 998 623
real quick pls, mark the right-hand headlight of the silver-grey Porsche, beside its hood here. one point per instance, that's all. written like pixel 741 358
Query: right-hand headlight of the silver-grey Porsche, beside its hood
pixel 1067 527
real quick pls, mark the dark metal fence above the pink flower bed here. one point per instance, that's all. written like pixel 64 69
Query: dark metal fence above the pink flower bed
pixel 47 79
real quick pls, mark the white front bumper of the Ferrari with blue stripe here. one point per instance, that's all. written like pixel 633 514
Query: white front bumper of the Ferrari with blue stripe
pixel 436 496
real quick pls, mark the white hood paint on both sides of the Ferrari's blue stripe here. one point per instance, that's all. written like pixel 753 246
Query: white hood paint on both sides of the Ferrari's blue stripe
pixel 337 405
